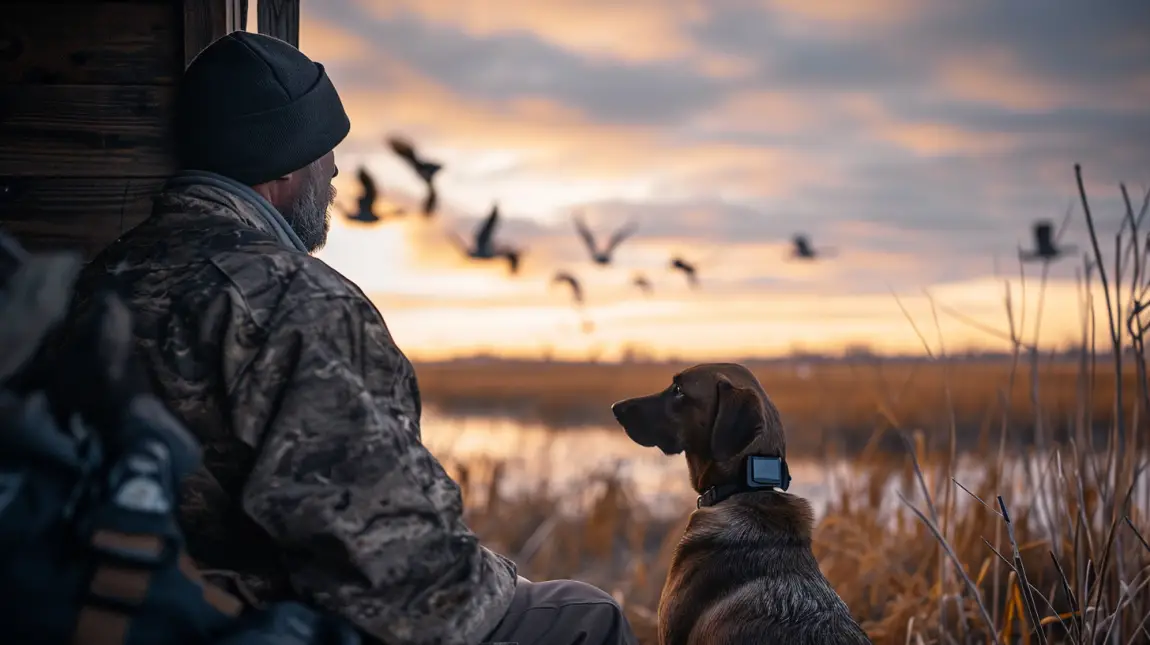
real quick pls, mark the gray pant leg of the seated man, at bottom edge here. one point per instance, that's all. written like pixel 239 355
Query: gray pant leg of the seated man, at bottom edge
pixel 563 613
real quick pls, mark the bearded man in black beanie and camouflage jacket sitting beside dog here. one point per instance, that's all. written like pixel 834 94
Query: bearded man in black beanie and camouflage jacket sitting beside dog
pixel 316 482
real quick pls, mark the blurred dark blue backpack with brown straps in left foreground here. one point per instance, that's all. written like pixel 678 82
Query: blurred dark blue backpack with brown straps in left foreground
pixel 91 552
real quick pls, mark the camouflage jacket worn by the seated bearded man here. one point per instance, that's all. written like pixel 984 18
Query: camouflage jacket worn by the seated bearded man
pixel 316 481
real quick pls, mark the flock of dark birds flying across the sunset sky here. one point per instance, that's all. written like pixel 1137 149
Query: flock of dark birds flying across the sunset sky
pixel 485 245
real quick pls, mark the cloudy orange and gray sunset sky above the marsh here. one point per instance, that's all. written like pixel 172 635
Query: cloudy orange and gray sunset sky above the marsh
pixel 917 141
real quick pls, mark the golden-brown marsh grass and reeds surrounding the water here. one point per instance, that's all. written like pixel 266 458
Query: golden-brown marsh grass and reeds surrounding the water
pixel 1084 558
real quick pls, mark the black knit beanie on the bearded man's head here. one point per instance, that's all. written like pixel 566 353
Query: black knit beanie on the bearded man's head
pixel 254 109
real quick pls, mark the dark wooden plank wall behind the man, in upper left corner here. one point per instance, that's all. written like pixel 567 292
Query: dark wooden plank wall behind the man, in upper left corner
pixel 86 97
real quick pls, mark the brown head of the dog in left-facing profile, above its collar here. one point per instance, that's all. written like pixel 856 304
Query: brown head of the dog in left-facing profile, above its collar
pixel 715 413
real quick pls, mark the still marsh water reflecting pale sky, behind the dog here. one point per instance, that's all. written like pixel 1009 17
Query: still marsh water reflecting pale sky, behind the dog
pixel 566 462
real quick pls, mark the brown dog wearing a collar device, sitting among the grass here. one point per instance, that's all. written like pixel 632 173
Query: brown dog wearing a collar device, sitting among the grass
pixel 745 572
